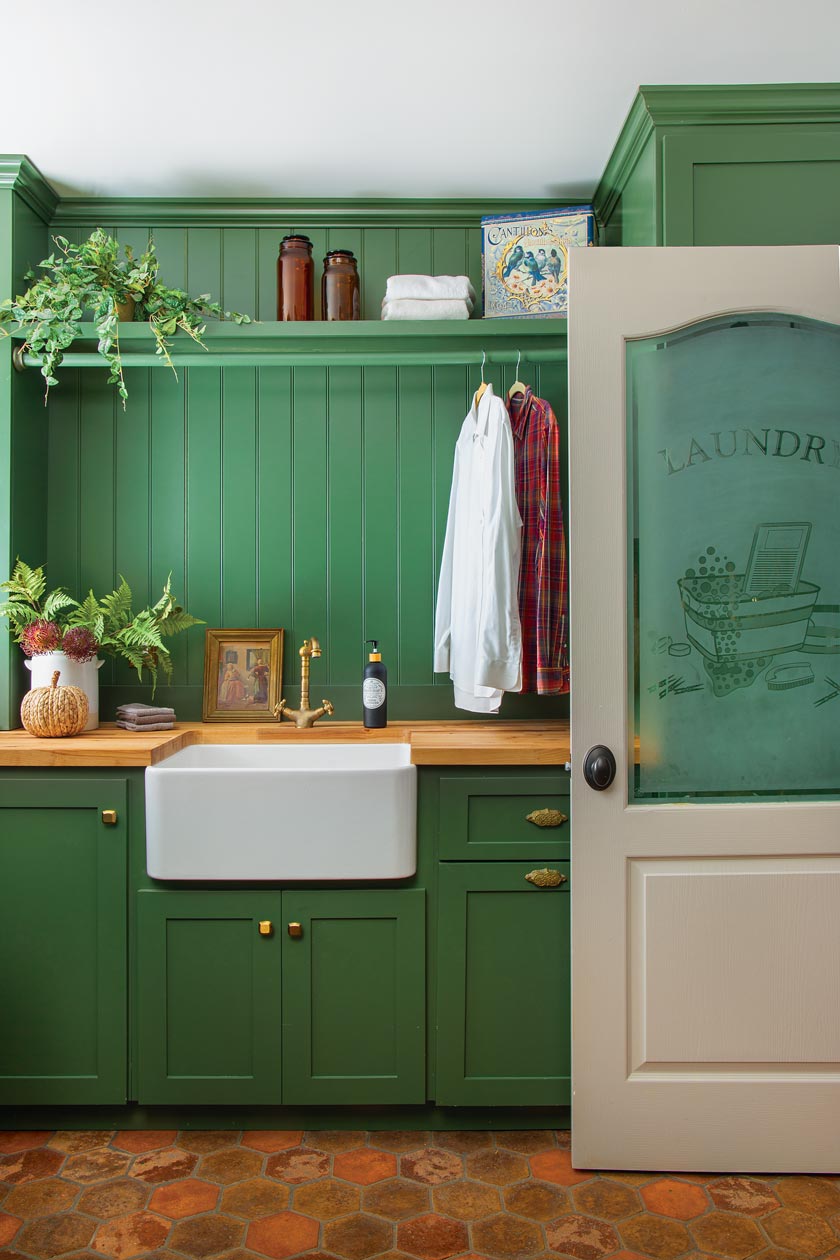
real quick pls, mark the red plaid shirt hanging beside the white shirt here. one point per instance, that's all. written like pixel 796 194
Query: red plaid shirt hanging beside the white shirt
pixel 543 575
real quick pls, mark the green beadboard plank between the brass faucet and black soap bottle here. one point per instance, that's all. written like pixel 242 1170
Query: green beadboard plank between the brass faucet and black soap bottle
pixel 347 632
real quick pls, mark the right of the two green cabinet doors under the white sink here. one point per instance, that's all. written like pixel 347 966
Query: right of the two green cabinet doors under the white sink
pixel 355 996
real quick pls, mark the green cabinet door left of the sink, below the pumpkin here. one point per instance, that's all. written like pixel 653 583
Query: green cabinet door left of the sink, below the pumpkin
pixel 62 942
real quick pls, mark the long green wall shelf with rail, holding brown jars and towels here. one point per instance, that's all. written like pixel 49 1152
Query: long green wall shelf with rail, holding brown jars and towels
pixel 366 343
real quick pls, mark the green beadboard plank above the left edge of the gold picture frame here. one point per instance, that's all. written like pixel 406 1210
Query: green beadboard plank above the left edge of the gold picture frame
pixel 202 594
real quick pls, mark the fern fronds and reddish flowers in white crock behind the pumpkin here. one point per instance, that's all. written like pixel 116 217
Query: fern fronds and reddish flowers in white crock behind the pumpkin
pixel 56 622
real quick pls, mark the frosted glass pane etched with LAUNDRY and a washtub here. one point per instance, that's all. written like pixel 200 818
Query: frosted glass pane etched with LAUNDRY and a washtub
pixel 734 478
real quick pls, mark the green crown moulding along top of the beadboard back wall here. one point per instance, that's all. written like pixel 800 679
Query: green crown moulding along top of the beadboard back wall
pixel 313 212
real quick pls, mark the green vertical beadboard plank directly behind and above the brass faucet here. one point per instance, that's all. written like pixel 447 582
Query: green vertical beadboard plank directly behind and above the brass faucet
pixel 310 520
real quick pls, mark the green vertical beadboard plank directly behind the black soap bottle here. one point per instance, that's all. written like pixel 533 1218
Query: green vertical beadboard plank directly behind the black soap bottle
pixel 382 513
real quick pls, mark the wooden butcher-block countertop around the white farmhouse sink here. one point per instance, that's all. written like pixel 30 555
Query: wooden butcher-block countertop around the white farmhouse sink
pixel 434 744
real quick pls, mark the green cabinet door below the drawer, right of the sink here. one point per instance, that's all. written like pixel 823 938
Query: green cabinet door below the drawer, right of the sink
pixel 503 988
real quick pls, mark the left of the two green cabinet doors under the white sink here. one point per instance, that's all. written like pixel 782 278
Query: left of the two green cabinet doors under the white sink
pixel 208 1006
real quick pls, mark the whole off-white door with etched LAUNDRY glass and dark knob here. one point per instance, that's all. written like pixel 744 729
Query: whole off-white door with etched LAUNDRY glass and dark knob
pixel 705 399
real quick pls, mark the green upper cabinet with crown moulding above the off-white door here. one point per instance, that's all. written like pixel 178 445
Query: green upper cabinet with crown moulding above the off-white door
pixel 749 164
